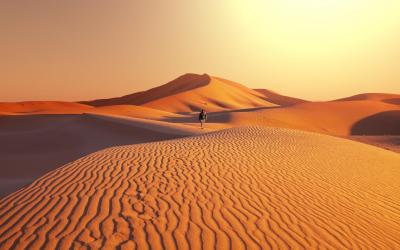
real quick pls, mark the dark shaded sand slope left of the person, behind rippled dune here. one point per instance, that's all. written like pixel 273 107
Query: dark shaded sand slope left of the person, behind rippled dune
pixel 32 145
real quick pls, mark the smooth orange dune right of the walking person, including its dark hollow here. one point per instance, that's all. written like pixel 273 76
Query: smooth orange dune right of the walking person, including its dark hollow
pixel 335 118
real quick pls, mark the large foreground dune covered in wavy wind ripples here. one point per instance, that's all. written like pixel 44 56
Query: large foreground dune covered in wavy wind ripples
pixel 254 188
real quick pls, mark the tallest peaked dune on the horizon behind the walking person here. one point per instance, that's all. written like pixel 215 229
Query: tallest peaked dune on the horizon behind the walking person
pixel 192 92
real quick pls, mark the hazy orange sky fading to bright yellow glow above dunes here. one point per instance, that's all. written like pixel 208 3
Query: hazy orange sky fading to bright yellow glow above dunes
pixel 82 49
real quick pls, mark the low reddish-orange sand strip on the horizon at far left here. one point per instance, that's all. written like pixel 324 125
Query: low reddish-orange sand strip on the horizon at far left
pixel 43 107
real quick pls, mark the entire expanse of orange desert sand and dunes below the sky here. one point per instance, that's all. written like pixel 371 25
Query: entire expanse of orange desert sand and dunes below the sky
pixel 254 185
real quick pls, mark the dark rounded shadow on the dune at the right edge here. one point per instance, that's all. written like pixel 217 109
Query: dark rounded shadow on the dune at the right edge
pixel 384 123
